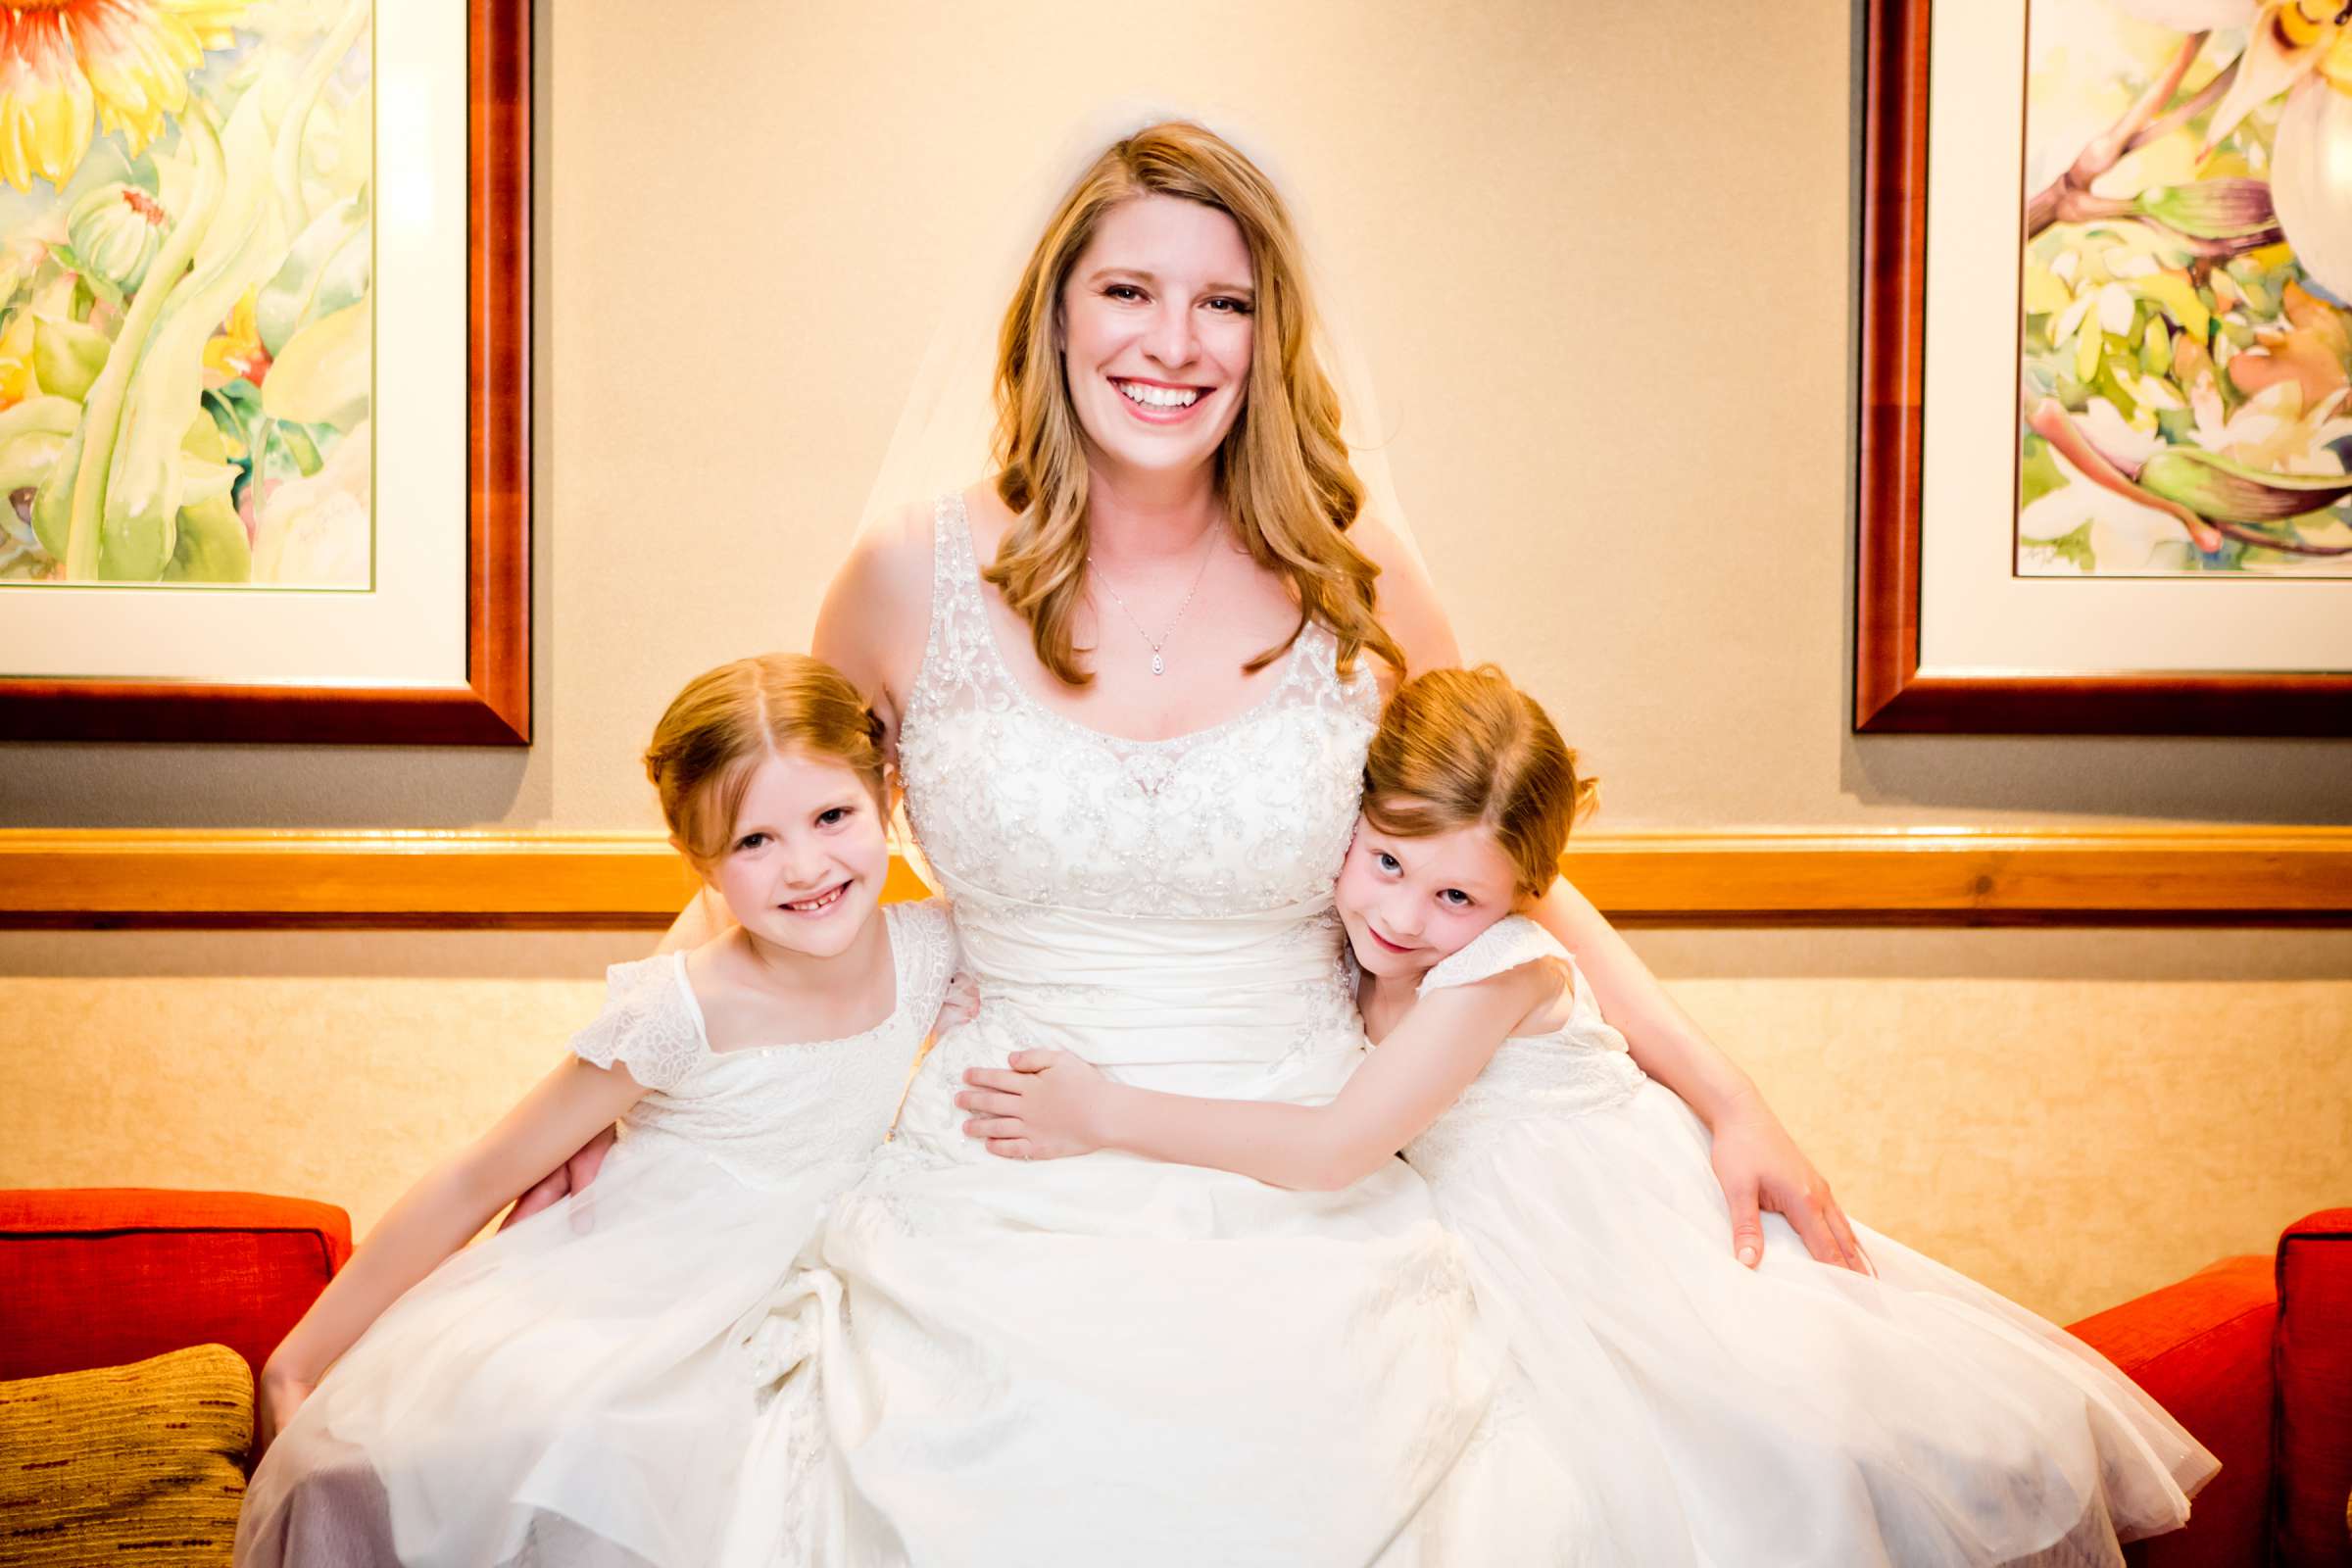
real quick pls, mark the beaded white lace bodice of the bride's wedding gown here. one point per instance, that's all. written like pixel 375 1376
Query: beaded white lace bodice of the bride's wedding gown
pixel 1156 906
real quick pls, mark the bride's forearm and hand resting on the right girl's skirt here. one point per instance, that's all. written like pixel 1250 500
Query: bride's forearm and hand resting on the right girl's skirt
pixel 1756 1160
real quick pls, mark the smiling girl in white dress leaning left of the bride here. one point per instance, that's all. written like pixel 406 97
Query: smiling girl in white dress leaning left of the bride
pixel 584 1386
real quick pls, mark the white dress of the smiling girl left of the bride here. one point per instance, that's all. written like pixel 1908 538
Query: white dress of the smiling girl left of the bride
pixel 608 1383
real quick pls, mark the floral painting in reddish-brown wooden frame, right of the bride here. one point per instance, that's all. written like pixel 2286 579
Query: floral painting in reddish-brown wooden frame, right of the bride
pixel 2106 389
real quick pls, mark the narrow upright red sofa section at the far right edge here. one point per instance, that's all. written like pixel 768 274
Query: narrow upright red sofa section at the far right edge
pixel 2316 1391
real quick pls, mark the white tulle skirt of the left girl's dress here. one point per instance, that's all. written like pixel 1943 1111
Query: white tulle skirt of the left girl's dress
pixel 608 1386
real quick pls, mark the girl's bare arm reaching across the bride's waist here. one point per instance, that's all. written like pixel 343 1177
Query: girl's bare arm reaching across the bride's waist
pixel 1064 1106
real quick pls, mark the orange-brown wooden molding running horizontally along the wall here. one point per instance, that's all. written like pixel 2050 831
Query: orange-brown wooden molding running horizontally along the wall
pixel 599 880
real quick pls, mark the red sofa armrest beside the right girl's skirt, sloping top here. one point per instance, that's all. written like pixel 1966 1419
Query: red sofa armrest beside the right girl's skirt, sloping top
pixel 2203 1351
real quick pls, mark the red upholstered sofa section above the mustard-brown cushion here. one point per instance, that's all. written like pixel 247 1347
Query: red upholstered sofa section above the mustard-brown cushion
pixel 114 1275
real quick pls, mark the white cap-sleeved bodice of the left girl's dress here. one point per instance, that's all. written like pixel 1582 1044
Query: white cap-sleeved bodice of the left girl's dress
pixel 770 1113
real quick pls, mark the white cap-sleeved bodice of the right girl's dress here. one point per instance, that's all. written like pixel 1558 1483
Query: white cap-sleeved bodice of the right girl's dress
pixel 1570 1071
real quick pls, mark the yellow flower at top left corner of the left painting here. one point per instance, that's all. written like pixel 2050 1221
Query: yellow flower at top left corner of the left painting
pixel 121 65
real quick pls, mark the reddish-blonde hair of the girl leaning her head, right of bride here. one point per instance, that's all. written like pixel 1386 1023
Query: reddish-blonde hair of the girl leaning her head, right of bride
pixel 1466 749
